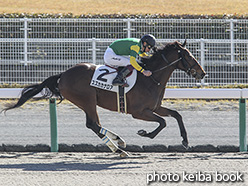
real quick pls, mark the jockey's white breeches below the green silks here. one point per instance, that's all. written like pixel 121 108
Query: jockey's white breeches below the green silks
pixel 111 59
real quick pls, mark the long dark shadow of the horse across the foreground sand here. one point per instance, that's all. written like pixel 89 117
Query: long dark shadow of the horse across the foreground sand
pixel 69 166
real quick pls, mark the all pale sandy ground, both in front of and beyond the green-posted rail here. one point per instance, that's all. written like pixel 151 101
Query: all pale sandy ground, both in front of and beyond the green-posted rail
pixel 206 122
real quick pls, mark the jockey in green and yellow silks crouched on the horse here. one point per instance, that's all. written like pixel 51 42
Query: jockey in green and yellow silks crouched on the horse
pixel 123 52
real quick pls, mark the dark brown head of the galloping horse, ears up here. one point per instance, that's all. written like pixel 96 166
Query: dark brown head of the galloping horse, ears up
pixel 188 63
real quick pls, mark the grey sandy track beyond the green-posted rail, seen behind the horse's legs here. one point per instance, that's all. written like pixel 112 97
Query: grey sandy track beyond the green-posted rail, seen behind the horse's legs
pixel 207 122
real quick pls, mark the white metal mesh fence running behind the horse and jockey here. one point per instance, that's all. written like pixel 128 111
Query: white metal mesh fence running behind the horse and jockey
pixel 33 49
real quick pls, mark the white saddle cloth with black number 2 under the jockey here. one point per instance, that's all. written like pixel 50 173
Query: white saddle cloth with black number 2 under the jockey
pixel 104 75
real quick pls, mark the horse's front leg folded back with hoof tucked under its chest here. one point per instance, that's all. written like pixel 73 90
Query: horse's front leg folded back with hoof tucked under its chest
pixel 148 115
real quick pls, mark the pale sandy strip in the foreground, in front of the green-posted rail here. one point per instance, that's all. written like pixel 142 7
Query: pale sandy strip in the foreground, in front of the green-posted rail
pixel 71 169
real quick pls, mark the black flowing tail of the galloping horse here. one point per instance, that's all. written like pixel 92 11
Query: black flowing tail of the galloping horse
pixel 51 85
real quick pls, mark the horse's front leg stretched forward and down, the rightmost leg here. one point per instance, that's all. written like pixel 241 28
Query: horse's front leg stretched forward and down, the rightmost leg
pixel 162 111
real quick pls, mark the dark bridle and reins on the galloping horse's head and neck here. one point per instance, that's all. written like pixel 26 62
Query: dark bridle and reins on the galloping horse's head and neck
pixel 186 65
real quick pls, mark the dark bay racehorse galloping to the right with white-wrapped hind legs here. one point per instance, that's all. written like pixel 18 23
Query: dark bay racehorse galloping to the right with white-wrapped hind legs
pixel 143 100
